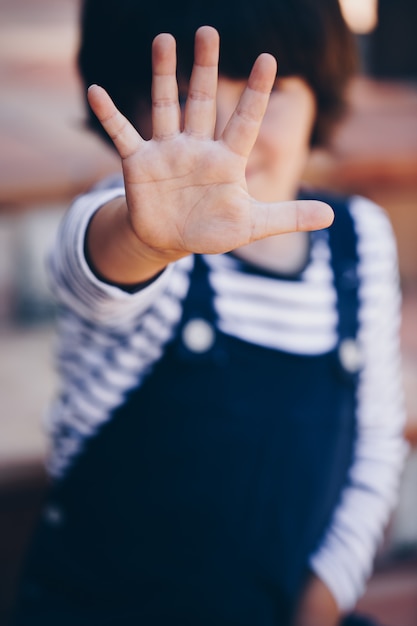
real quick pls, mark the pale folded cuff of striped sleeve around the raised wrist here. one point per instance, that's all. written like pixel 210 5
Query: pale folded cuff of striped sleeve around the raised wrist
pixel 72 280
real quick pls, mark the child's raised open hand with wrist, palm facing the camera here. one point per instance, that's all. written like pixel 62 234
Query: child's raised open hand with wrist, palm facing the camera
pixel 186 192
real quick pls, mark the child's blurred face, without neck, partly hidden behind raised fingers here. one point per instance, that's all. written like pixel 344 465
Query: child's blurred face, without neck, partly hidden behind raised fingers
pixel 278 158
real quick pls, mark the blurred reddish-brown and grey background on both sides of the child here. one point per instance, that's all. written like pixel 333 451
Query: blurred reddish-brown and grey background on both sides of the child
pixel 47 157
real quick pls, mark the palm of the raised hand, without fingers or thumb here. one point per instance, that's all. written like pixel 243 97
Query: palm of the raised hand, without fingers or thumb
pixel 188 195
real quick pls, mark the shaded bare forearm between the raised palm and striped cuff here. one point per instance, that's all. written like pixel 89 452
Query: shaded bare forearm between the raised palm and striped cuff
pixel 114 251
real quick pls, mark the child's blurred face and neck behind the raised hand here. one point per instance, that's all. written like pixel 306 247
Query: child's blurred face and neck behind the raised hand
pixel 276 163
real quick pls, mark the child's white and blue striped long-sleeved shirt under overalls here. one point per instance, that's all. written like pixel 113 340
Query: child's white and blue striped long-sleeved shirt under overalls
pixel 110 339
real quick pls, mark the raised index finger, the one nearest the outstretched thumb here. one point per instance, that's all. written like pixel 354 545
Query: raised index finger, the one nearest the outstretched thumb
pixel 242 129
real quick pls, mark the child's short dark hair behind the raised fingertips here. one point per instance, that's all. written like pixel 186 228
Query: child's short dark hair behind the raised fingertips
pixel 309 38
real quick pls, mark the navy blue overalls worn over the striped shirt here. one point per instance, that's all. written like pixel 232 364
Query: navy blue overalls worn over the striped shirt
pixel 200 501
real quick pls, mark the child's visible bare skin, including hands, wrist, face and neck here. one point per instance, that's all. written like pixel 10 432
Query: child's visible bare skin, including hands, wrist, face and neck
pixel 220 175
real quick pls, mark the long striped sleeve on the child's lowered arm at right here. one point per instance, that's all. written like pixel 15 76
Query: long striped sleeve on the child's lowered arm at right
pixel 345 557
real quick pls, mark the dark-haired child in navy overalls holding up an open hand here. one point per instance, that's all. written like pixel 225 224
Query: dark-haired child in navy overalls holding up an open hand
pixel 227 442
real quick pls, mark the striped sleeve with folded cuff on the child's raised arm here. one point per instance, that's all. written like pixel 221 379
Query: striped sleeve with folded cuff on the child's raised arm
pixel 108 339
